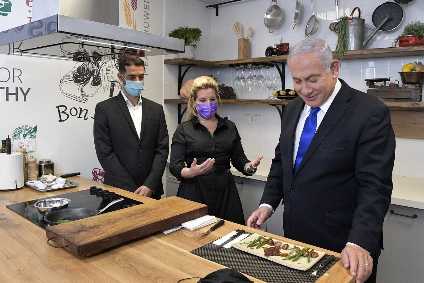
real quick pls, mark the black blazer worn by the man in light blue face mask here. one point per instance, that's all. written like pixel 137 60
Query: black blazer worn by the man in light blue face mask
pixel 130 161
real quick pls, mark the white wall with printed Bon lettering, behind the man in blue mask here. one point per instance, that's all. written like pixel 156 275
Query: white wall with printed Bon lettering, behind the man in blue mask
pixel 67 140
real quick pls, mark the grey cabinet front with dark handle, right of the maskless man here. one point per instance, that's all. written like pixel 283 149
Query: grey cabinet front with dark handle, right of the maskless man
pixel 402 259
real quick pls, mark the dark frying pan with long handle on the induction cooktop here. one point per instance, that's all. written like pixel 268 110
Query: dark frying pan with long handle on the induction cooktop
pixel 71 214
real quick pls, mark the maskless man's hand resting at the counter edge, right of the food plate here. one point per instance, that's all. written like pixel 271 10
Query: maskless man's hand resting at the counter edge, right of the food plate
pixel 359 261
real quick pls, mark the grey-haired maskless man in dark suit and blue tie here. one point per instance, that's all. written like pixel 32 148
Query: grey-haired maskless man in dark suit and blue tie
pixel 333 163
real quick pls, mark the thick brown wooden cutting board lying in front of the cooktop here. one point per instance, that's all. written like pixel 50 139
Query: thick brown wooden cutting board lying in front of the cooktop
pixel 90 236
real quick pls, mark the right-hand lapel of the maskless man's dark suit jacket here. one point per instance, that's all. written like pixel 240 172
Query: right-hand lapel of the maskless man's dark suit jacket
pixel 332 117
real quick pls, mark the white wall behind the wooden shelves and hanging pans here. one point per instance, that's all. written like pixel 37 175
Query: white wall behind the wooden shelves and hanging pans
pixel 219 43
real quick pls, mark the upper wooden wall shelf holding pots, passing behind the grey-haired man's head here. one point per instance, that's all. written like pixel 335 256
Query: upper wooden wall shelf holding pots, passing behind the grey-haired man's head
pixel 350 55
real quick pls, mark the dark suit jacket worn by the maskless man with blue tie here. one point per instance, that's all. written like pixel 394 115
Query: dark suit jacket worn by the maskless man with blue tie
pixel 342 190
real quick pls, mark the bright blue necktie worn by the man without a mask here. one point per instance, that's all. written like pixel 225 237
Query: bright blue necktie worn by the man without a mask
pixel 308 133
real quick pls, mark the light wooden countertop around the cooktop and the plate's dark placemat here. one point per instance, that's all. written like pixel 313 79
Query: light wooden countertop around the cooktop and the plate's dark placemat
pixel 26 257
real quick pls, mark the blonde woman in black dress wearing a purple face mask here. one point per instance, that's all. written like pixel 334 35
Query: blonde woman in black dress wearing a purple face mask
pixel 203 148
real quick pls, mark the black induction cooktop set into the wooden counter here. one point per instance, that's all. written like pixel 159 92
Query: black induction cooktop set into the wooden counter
pixel 93 198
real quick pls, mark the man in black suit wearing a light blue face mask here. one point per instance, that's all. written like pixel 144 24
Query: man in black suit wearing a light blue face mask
pixel 130 133
